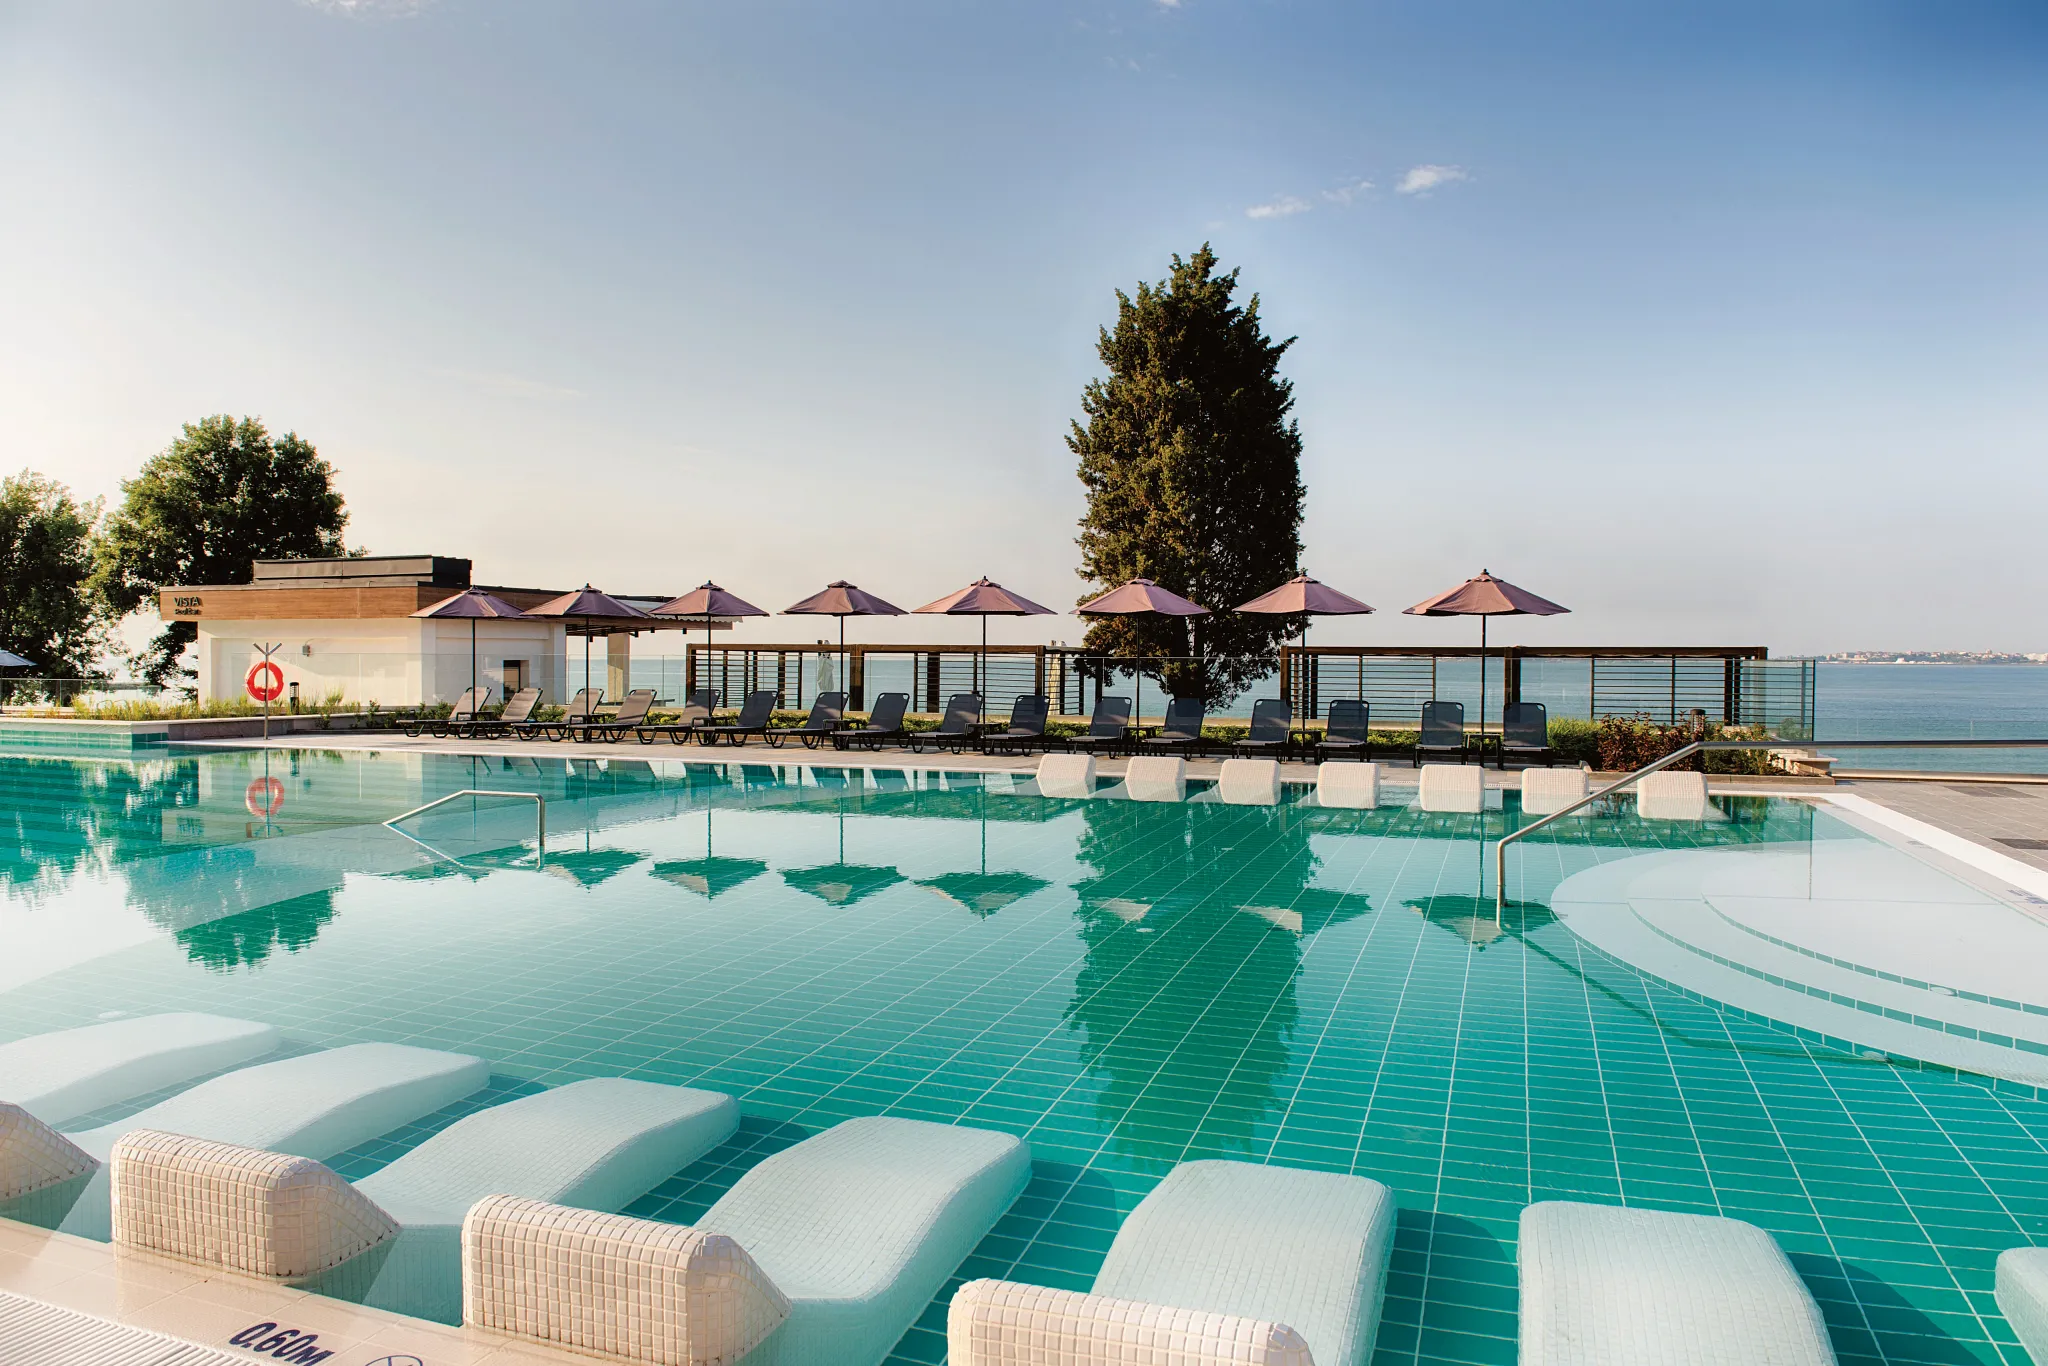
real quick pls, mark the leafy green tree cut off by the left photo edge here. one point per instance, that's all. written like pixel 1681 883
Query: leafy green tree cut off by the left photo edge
pixel 46 558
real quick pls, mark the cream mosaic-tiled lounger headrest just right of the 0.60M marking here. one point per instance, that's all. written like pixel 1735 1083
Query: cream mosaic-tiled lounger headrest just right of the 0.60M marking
pixel 611 1285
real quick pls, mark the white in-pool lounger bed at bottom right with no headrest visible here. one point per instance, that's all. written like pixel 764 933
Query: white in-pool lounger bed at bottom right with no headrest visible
pixel 1658 1289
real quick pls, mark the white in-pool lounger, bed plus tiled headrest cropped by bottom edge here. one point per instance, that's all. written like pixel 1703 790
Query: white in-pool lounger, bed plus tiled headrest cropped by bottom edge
pixel 1222 1263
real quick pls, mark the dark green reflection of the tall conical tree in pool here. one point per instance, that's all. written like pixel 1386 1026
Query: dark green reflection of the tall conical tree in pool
pixel 1195 927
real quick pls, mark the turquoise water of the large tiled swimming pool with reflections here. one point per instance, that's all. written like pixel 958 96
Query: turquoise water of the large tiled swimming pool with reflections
pixel 1125 984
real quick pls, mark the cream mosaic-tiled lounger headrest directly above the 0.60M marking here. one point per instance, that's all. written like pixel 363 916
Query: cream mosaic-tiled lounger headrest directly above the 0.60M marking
pixel 239 1207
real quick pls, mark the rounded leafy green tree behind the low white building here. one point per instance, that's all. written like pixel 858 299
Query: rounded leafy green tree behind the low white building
pixel 216 501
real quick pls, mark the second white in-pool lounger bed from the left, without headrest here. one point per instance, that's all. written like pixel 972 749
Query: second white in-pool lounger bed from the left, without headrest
pixel 318 1105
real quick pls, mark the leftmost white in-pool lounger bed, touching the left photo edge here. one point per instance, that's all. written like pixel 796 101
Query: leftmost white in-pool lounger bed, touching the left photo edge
pixel 60 1076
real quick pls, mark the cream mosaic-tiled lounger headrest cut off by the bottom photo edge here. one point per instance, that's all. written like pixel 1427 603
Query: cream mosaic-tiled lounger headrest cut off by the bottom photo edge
pixel 1007 1324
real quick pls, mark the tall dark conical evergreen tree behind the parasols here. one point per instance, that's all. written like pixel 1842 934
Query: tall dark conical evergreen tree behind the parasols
pixel 1193 474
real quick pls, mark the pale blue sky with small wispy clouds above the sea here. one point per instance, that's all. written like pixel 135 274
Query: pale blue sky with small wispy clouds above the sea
pixel 1719 325
